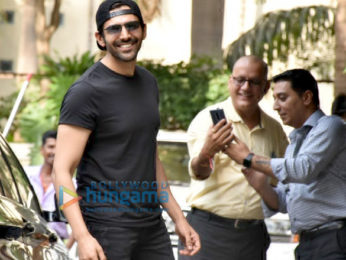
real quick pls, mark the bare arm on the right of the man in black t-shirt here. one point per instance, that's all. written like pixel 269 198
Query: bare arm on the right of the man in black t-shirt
pixel 185 232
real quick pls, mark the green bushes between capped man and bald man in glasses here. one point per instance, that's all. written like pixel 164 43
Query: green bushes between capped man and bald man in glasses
pixel 185 88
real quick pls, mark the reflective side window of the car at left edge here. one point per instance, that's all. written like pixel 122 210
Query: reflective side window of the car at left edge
pixel 14 179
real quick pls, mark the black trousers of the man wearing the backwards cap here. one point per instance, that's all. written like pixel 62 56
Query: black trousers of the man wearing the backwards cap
pixel 134 243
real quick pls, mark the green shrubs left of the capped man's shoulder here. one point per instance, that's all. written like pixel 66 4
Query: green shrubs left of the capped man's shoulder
pixel 42 111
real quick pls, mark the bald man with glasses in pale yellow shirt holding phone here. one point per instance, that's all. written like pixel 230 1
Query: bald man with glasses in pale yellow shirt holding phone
pixel 226 210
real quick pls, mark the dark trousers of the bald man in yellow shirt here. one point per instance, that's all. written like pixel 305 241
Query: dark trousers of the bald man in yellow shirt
pixel 221 240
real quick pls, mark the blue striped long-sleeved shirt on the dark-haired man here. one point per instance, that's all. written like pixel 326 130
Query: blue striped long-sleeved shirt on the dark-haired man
pixel 312 187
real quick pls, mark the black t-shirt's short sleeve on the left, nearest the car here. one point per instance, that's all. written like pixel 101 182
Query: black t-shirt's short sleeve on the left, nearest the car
pixel 79 106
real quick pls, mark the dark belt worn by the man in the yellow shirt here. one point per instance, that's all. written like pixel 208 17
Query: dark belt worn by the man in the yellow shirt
pixel 235 223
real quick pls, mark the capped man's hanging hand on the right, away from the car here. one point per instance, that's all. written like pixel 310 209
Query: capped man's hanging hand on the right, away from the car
pixel 188 236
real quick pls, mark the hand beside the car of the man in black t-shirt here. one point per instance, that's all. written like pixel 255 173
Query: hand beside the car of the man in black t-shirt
pixel 90 249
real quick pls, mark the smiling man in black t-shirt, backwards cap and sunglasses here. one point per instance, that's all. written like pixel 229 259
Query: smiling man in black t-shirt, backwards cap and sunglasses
pixel 108 126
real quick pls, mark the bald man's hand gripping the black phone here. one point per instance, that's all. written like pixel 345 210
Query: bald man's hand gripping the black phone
pixel 218 137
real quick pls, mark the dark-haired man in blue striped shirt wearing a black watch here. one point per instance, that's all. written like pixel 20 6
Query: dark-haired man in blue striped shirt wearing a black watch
pixel 312 176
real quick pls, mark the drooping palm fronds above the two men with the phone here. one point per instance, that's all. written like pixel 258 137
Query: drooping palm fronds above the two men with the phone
pixel 278 34
